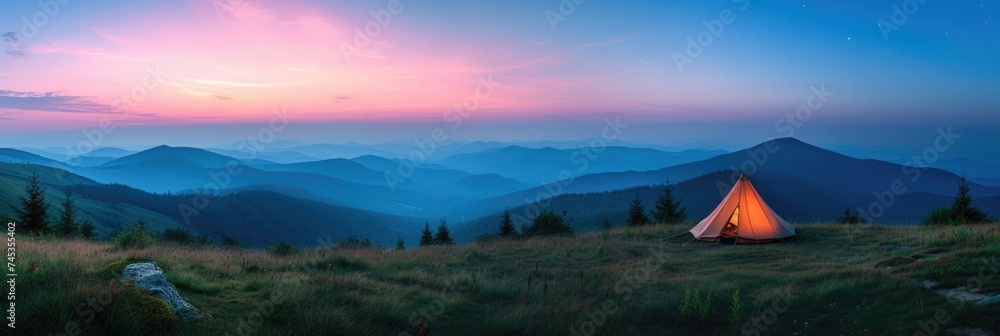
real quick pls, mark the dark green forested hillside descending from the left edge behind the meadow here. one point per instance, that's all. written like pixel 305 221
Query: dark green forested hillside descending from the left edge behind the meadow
pixel 259 218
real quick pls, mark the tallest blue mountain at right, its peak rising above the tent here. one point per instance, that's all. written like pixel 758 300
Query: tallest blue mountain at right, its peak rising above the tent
pixel 819 169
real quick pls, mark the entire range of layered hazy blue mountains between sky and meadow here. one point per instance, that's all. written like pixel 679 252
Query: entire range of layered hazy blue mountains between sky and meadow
pixel 387 197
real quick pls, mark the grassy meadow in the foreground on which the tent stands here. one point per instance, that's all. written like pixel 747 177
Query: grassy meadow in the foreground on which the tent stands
pixel 843 280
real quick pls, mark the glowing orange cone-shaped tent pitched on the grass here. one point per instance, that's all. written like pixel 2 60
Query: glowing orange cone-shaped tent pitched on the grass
pixel 743 217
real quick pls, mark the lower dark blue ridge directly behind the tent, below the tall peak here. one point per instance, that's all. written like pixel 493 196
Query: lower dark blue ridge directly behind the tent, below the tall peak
pixel 798 201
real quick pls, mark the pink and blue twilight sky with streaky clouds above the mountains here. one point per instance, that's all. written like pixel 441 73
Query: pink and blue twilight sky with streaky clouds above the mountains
pixel 208 70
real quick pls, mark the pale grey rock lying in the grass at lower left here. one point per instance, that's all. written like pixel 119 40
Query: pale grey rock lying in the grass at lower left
pixel 148 277
